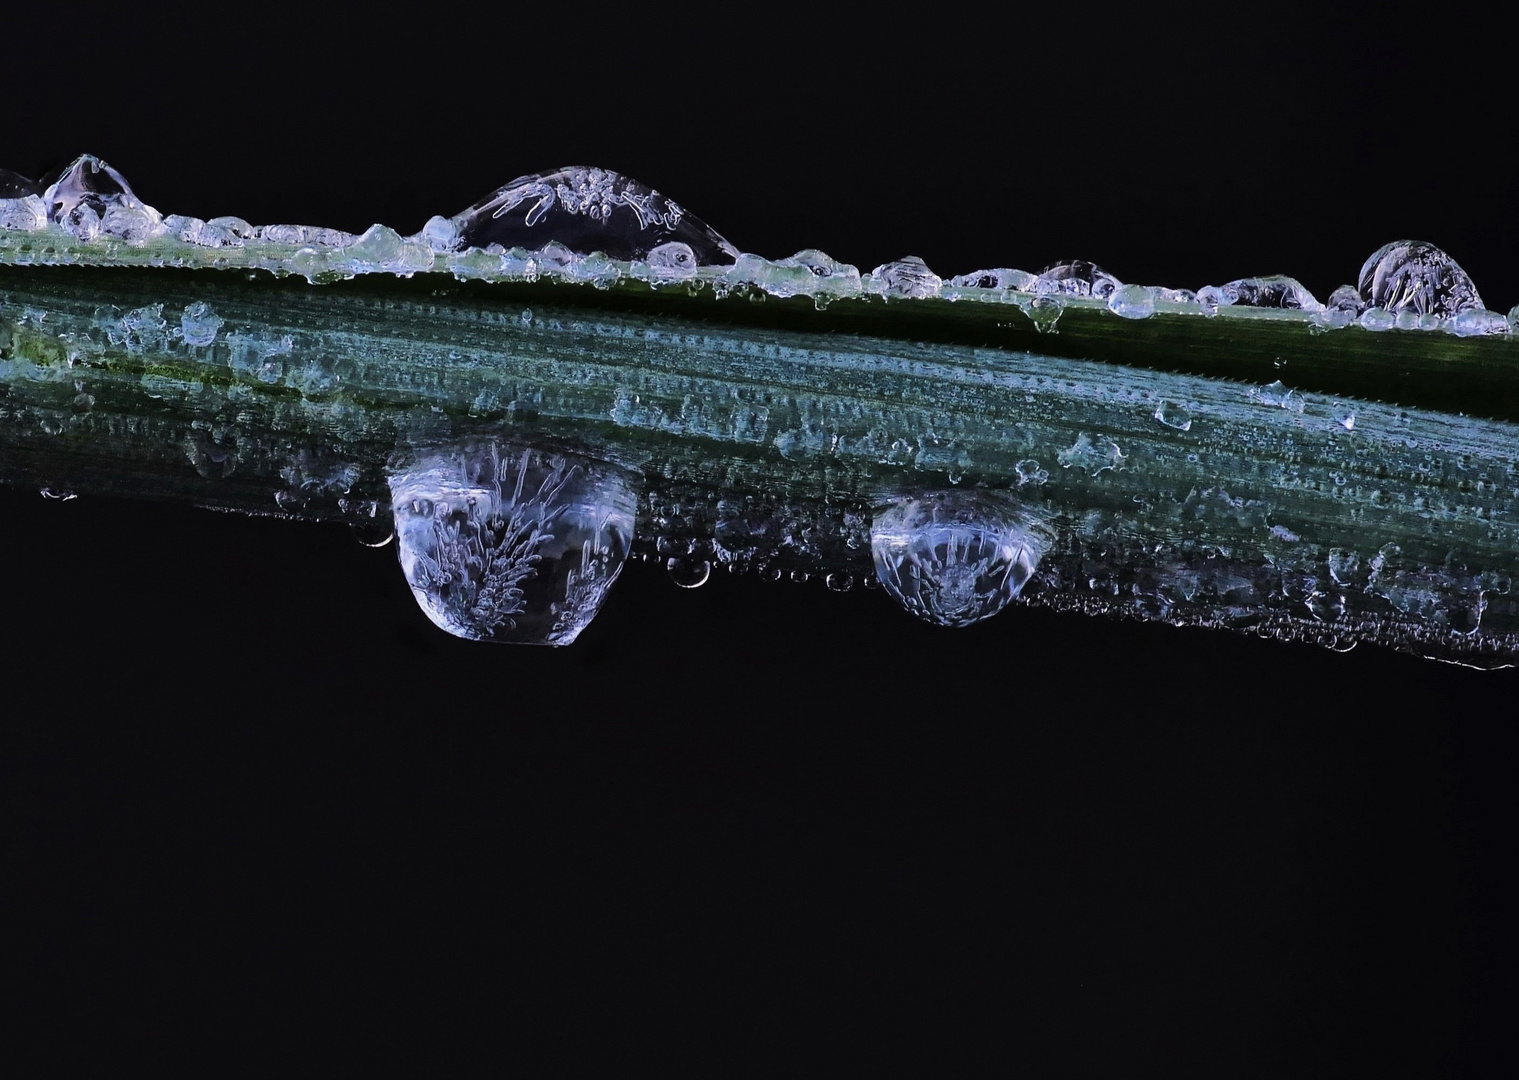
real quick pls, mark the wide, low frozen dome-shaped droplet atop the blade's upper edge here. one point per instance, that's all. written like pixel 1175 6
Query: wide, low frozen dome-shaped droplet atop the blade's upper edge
pixel 586 210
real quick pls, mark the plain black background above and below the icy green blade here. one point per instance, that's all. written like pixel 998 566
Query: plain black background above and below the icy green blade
pixel 251 789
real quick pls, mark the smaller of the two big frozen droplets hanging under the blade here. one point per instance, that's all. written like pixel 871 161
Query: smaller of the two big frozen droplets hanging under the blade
pixel 956 558
